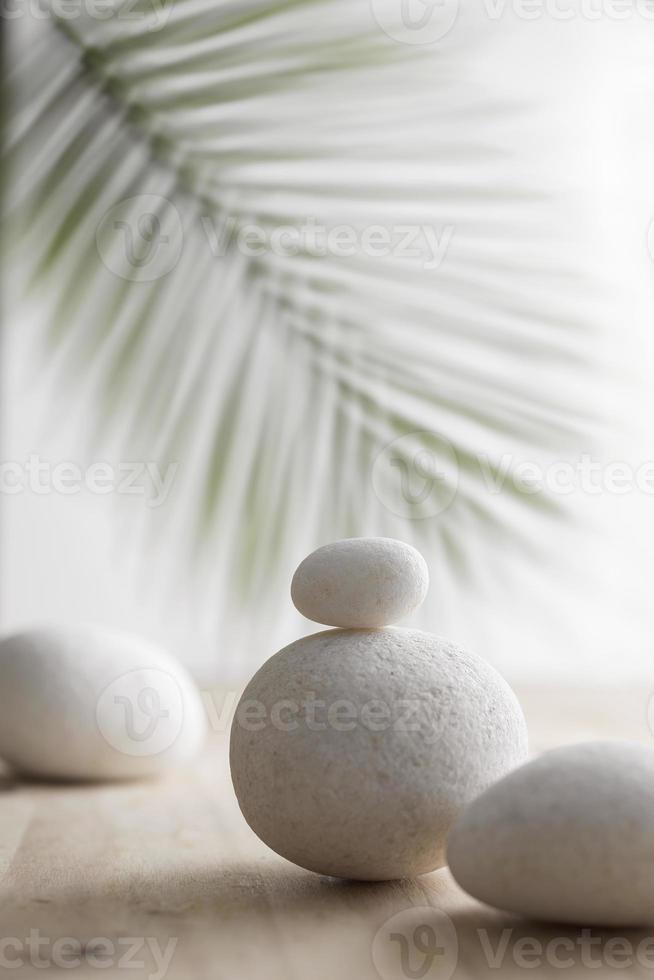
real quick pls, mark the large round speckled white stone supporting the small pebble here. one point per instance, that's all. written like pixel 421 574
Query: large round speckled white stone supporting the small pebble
pixel 405 730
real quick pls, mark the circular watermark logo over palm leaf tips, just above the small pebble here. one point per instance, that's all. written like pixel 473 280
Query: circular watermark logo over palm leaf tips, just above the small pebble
pixel 416 476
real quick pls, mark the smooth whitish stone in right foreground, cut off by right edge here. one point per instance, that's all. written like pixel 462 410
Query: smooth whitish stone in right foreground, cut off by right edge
pixel 567 838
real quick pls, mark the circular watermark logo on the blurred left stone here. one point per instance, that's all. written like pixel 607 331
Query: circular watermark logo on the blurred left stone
pixel 141 713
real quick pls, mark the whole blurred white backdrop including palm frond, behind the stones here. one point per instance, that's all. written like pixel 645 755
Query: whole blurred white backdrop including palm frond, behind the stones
pixel 305 397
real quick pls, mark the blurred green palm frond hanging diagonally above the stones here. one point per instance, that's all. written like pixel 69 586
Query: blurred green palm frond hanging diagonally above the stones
pixel 277 380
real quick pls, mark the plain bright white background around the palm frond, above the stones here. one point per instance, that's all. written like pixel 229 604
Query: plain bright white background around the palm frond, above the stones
pixel 584 615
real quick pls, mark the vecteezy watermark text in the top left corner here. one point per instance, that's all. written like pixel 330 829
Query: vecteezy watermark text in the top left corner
pixel 150 16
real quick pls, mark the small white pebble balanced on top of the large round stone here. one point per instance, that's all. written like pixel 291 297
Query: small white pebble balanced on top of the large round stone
pixel 360 583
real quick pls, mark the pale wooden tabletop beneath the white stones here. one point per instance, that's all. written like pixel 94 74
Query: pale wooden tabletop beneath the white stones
pixel 169 869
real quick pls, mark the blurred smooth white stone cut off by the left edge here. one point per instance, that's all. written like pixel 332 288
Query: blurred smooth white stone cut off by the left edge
pixel 87 703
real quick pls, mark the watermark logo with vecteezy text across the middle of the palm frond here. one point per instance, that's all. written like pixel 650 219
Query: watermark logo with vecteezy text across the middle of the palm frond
pixel 142 238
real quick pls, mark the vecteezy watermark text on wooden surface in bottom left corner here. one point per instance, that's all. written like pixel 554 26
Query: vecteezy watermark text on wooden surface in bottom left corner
pixel 143 953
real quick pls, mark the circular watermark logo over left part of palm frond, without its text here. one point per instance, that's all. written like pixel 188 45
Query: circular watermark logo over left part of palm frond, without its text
pixel 141 238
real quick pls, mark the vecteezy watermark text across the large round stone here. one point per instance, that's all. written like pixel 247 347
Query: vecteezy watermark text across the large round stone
pixel 401 716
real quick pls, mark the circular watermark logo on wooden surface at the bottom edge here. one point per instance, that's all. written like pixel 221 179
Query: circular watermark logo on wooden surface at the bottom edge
pixel 419 943
